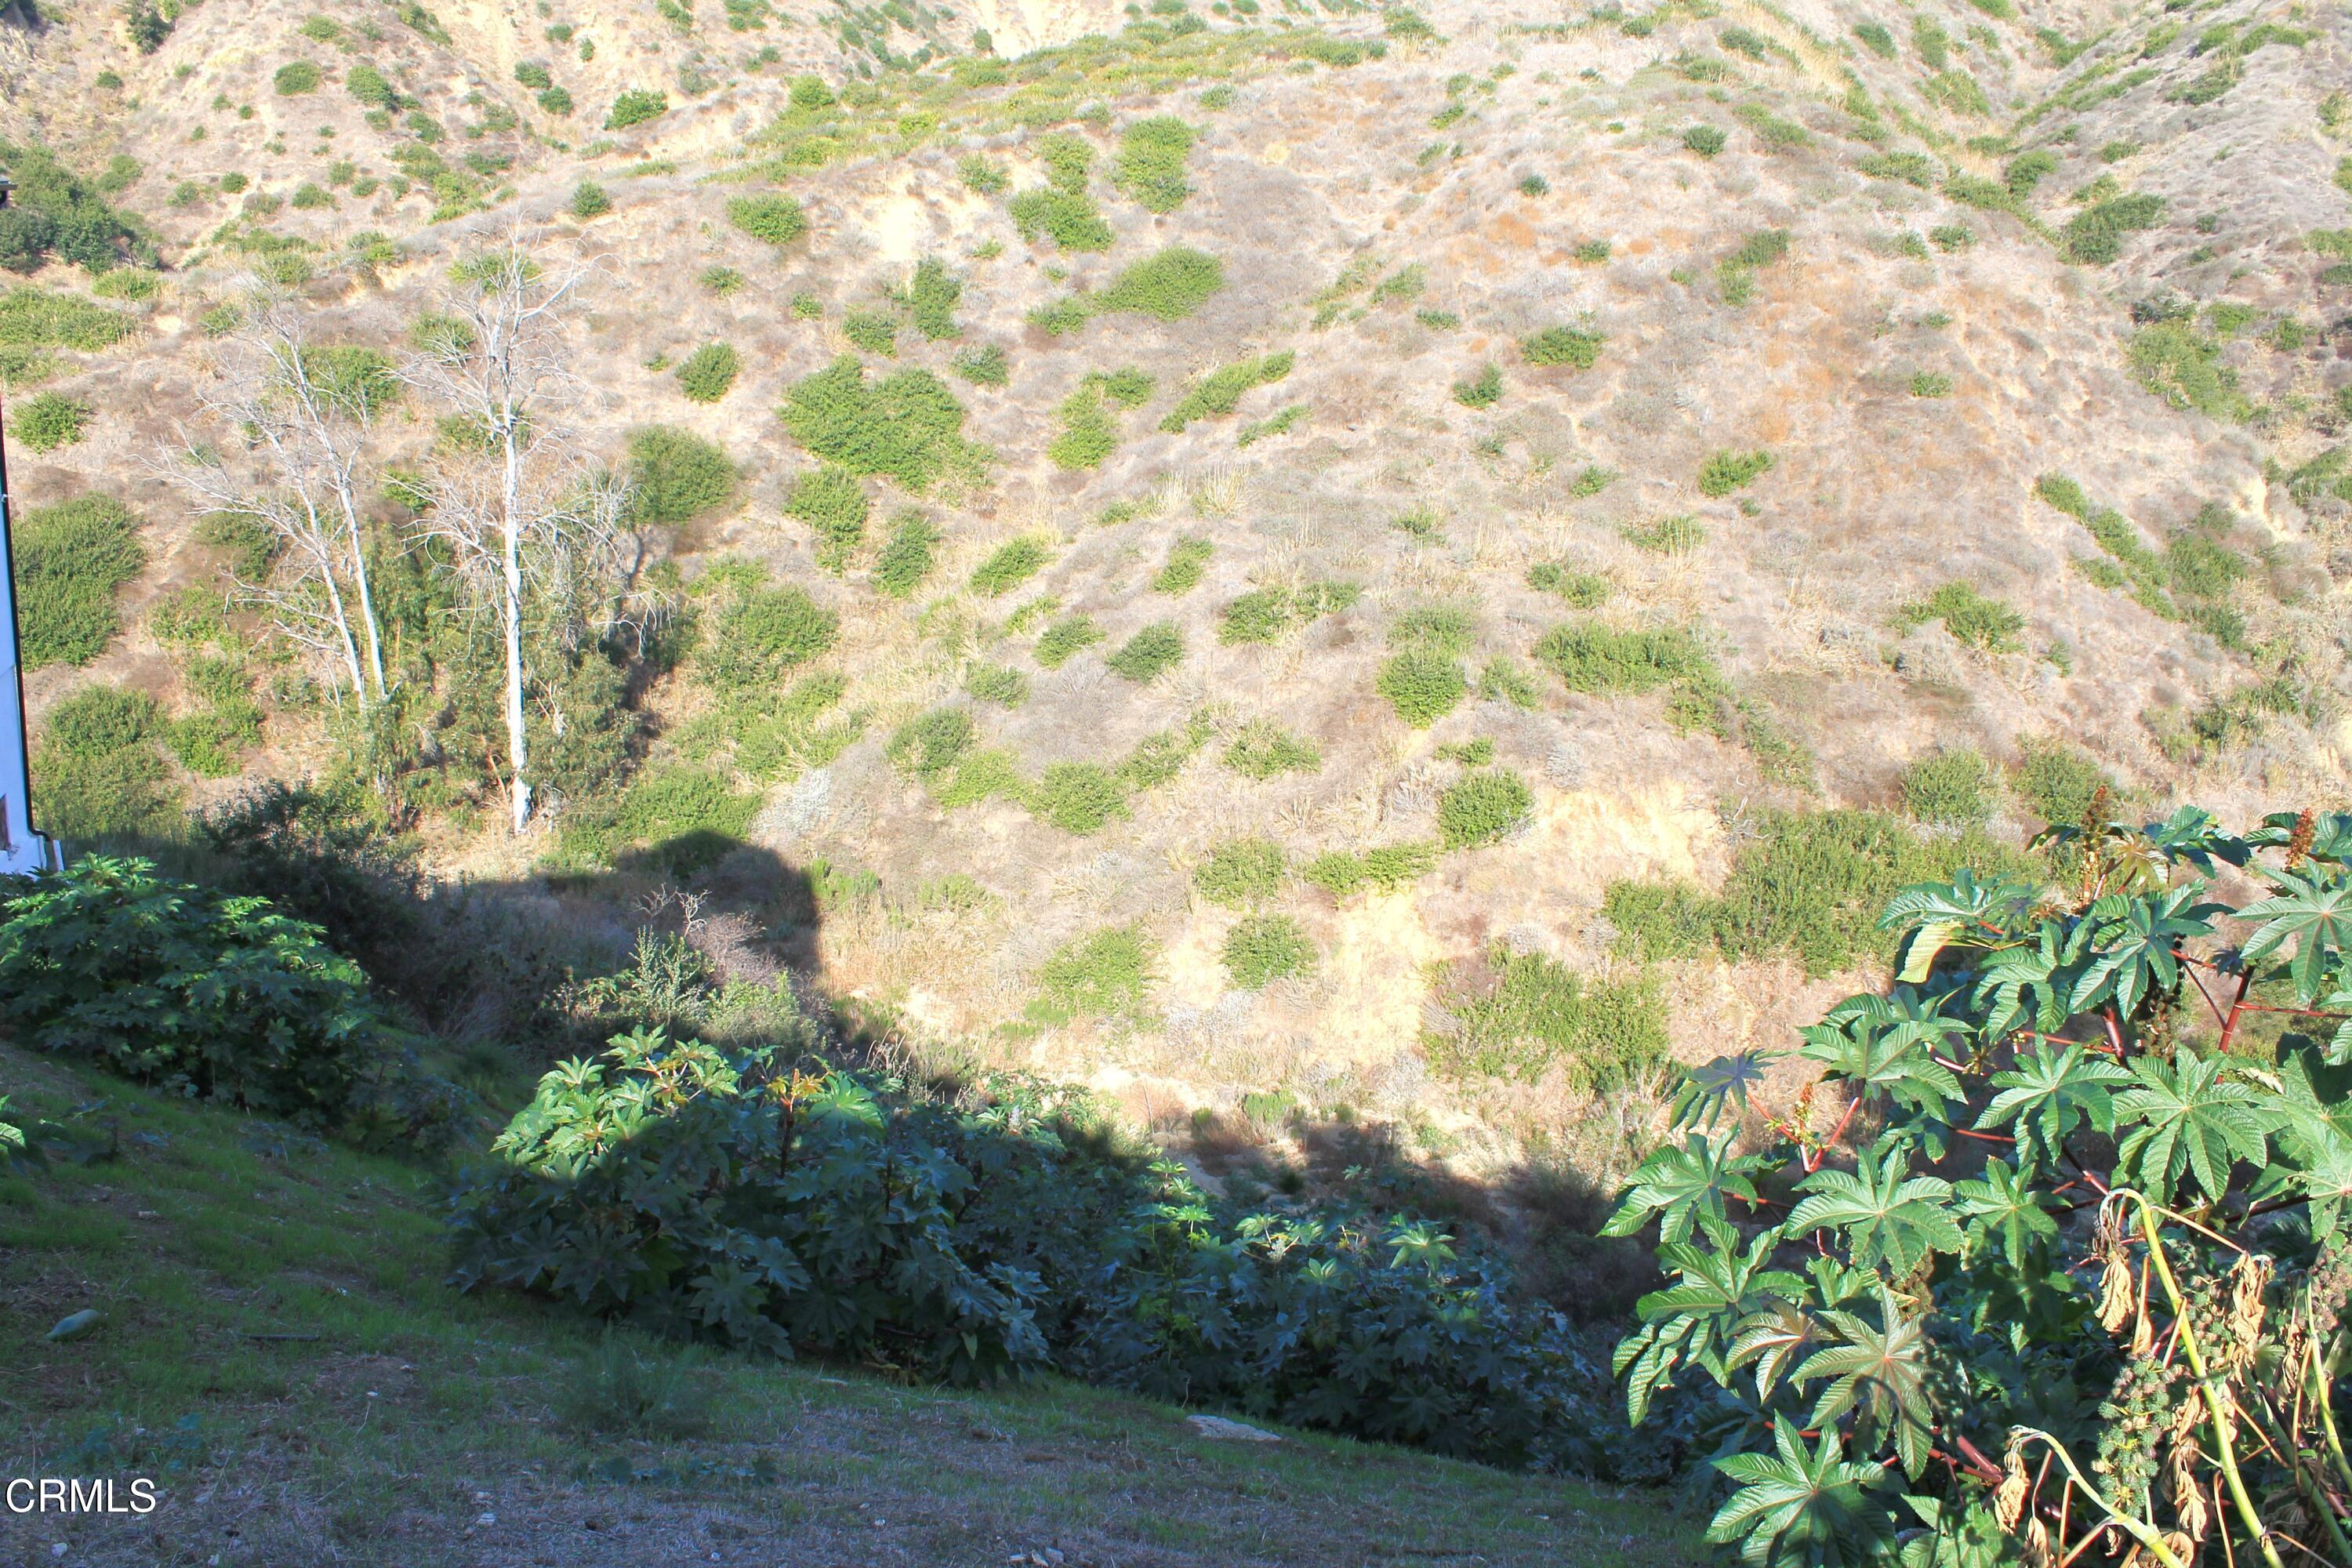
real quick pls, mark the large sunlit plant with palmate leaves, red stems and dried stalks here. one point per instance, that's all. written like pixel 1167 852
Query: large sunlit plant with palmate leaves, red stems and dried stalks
pixel 2071 1233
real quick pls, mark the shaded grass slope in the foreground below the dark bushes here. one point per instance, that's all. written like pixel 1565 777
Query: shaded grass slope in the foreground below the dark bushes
pixel 281 1358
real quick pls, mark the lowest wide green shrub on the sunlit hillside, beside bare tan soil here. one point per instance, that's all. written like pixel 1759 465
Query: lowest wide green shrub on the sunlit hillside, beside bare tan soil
pixel 1530 1014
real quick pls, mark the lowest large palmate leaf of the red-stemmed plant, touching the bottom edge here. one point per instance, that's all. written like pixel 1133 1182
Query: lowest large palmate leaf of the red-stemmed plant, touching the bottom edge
pixel 1803 1508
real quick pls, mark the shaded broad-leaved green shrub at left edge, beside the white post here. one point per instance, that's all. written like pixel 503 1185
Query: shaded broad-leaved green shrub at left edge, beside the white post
pixel 171 984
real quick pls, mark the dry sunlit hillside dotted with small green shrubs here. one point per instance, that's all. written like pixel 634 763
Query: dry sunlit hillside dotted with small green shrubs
pixel 1789 314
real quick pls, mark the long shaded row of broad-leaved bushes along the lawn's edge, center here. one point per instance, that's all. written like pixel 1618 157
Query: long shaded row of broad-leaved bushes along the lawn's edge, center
pixel 744 1200
